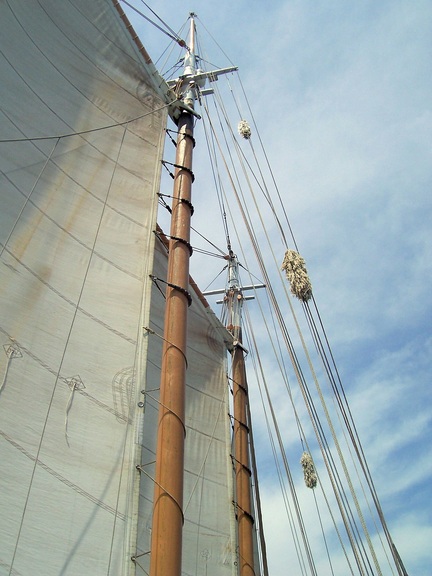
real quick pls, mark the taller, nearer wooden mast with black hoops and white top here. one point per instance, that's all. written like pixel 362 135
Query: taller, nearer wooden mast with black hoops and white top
pixel 167 523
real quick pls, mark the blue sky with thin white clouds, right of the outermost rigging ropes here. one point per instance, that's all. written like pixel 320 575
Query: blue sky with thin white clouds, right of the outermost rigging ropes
pixel 341 93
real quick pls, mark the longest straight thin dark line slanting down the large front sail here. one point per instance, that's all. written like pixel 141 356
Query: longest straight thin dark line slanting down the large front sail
pixel 72 324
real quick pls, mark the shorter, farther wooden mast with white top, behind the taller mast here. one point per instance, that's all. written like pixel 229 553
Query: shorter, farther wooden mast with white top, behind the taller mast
pixel 245 520
